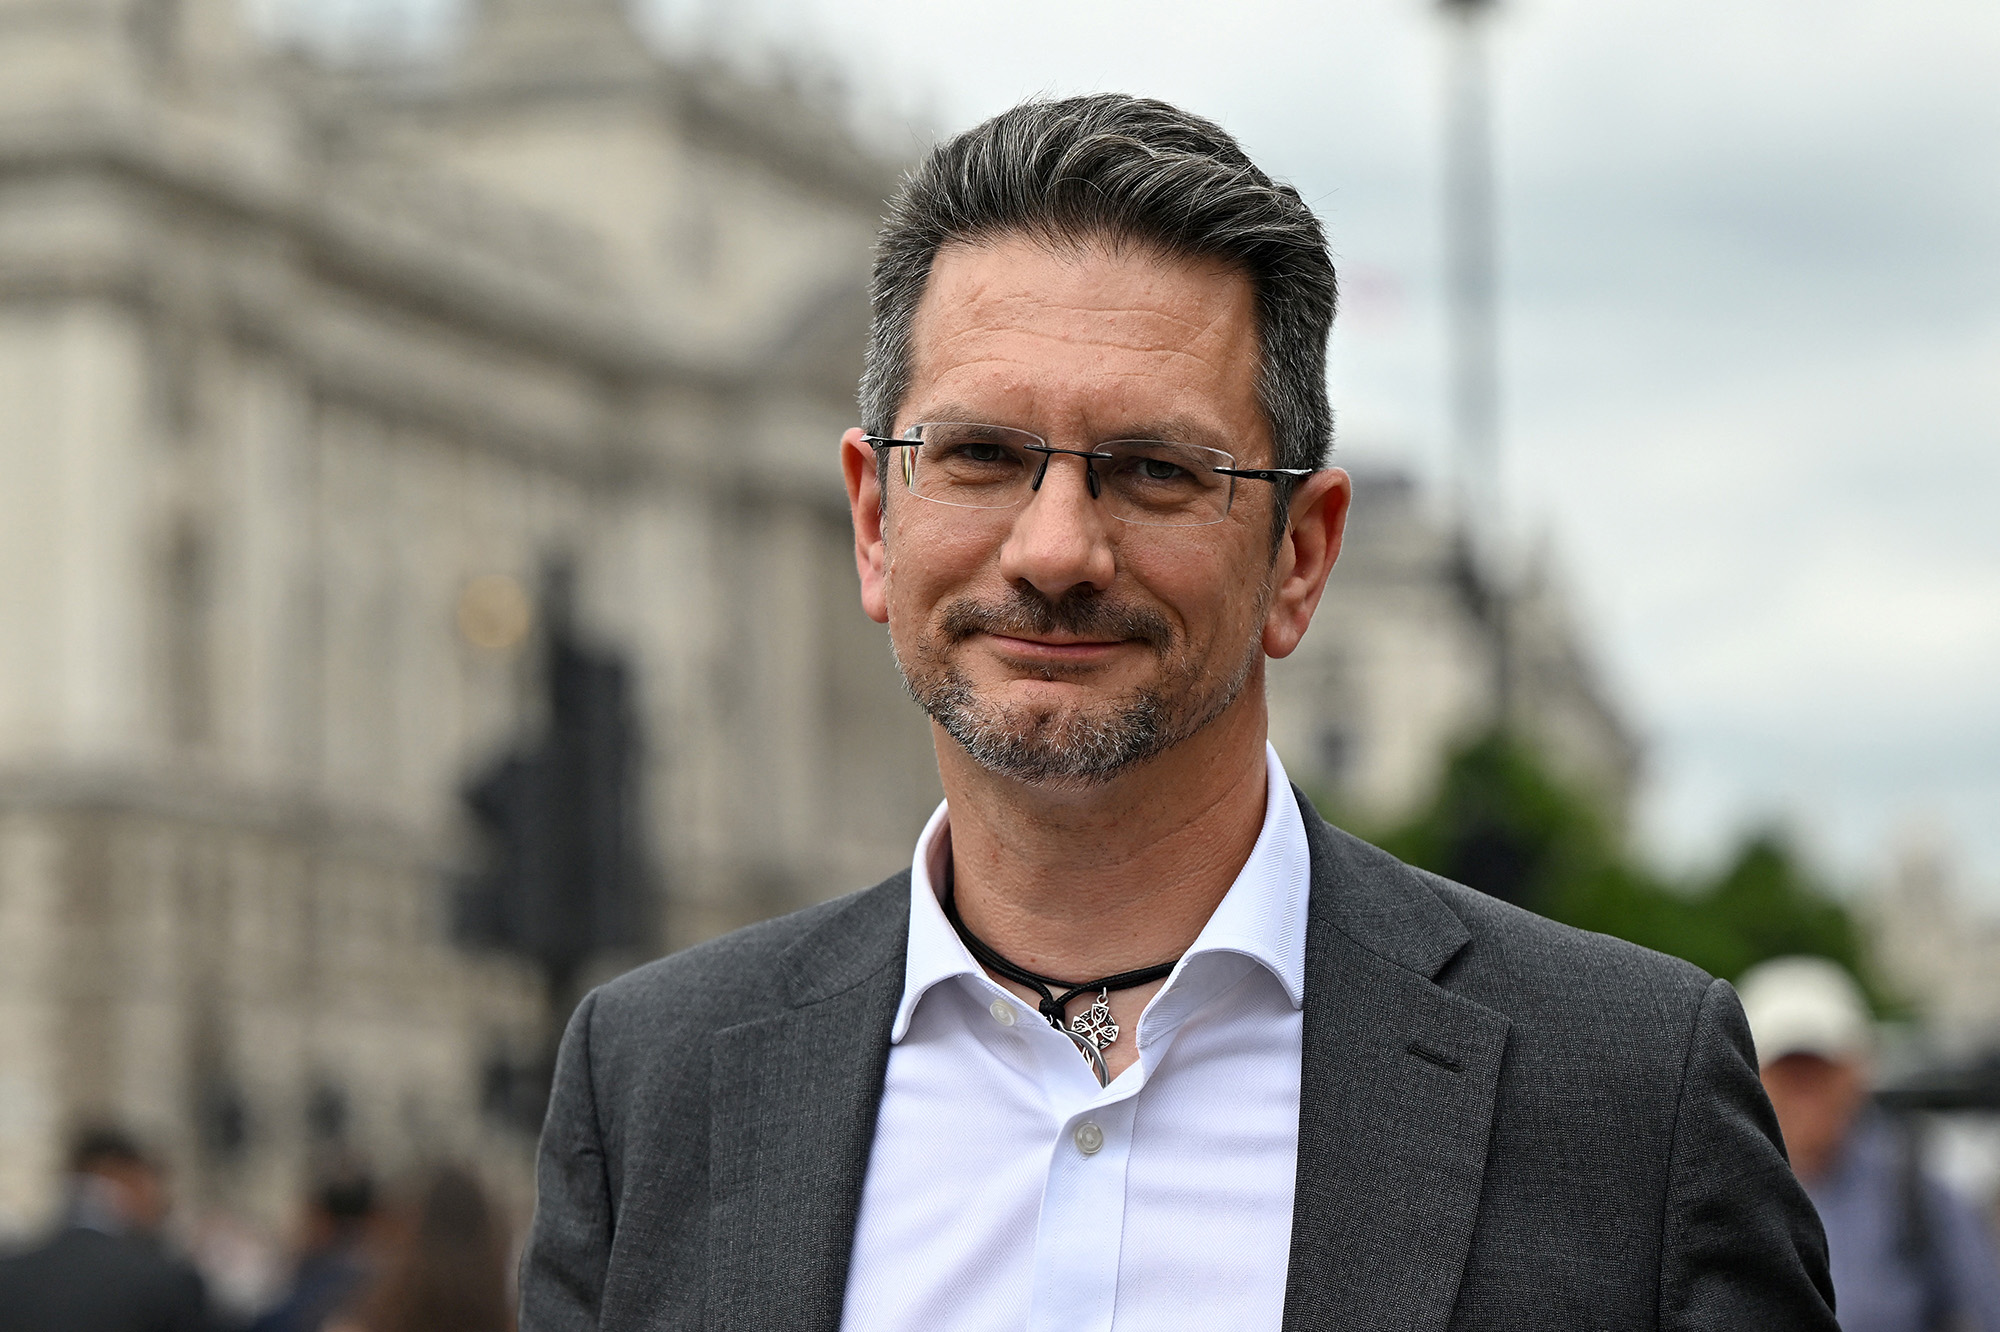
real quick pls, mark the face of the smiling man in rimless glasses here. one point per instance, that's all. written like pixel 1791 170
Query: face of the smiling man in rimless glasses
pixel 1053 641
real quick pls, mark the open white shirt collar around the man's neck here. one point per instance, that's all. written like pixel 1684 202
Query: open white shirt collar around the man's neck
pixel 1263 917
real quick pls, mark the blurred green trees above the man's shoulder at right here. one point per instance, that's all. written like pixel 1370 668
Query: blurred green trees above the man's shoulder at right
pixel 1505 825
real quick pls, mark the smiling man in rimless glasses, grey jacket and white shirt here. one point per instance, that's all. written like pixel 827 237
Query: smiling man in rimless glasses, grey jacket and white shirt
pixel 1139 1041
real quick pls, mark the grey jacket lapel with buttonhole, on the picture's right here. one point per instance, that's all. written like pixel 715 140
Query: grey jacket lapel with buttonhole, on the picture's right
pixel 1397 1099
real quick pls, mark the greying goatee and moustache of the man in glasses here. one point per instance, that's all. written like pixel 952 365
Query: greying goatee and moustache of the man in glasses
pixel 1077 747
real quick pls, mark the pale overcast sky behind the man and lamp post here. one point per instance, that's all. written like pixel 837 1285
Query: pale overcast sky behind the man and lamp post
pixel 1751 337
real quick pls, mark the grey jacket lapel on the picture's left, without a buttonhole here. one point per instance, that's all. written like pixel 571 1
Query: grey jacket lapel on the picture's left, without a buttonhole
pixel 795 1105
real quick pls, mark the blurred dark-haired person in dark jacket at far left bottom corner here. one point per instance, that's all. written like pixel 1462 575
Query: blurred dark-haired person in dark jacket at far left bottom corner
pixel 105 1267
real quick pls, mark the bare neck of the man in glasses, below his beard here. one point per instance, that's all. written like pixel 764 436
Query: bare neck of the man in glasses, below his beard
pixel 1089 881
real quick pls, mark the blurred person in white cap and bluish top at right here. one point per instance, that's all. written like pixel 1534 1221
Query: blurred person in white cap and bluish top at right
pixel 1909 1255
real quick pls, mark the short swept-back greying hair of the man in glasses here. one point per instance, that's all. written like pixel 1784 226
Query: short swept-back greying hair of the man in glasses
pixel 1129 171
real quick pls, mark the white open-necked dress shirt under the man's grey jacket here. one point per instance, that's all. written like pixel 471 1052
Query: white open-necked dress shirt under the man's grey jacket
pixel 1009 1191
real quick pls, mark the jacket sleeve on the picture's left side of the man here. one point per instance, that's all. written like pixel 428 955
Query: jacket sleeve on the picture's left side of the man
pixel 571 1239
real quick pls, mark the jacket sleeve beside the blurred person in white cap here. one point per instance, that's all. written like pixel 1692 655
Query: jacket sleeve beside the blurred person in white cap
pixel 1741 1243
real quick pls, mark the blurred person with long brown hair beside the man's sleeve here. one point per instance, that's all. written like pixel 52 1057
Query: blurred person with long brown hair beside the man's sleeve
pixel 445 1265
